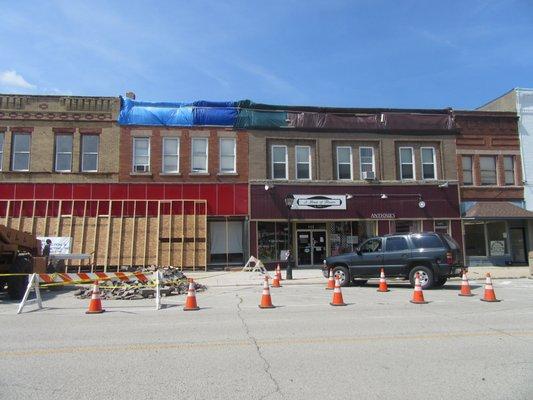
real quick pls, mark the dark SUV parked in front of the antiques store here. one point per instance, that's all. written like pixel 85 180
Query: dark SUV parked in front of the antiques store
pixel 435 256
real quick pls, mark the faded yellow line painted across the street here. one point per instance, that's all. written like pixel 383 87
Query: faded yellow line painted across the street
pixel 260 342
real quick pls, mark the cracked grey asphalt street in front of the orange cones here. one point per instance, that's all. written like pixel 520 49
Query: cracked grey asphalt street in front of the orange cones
pixel 379 346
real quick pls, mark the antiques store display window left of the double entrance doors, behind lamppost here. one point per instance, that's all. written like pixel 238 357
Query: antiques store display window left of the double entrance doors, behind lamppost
pixel 272 240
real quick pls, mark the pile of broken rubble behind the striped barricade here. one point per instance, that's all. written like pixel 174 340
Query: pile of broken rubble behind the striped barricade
pixel 172 282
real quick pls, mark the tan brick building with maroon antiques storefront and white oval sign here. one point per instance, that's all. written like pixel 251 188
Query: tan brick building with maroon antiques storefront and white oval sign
pixel 353 174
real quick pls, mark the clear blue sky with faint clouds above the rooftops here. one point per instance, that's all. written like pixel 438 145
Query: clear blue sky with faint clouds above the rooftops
pixel 334 53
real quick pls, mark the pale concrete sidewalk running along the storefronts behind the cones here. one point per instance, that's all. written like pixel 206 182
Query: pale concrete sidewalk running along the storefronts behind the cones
pixel 314 276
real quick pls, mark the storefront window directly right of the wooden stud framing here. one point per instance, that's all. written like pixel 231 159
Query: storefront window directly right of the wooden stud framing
pixel 226 241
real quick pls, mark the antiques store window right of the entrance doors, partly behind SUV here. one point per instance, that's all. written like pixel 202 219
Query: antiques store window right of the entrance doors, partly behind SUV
pixel 345 236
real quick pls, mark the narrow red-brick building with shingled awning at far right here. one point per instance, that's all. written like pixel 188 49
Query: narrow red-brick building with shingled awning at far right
pixel 490 174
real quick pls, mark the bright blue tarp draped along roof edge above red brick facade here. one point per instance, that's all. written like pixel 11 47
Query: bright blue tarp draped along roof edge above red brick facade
pixel 133 112
